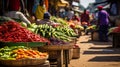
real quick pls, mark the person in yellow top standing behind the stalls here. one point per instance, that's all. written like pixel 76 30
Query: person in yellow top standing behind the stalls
pixel 40 10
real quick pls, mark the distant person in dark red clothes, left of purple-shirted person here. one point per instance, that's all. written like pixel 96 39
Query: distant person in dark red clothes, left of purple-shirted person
pixel 85 20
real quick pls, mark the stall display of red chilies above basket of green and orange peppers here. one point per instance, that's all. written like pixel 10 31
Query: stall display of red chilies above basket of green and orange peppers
pixel 16 43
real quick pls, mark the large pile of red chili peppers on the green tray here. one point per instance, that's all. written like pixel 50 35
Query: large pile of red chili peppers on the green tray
pixel 13 32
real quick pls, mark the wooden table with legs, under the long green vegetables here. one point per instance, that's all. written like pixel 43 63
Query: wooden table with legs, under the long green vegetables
pixel 59 49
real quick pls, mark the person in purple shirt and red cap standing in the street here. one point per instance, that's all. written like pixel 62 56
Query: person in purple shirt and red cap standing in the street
pixel 103 24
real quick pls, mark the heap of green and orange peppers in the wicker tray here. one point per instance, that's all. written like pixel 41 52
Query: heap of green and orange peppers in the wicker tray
pixel 20 52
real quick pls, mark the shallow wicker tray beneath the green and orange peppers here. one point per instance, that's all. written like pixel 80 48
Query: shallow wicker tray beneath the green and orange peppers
pixel 23 62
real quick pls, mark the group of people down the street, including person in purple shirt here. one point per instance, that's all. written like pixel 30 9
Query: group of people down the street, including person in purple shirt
pixel 102 21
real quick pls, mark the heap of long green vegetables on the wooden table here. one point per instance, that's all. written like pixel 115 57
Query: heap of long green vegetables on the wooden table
pixel 59 34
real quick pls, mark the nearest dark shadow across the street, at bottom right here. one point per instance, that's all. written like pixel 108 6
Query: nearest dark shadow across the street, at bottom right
pixel 105 59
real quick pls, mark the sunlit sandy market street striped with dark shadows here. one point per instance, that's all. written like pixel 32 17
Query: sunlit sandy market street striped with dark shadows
pixel 96 54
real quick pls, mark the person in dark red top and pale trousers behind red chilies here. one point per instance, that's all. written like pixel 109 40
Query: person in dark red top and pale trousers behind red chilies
pixel 14 11
